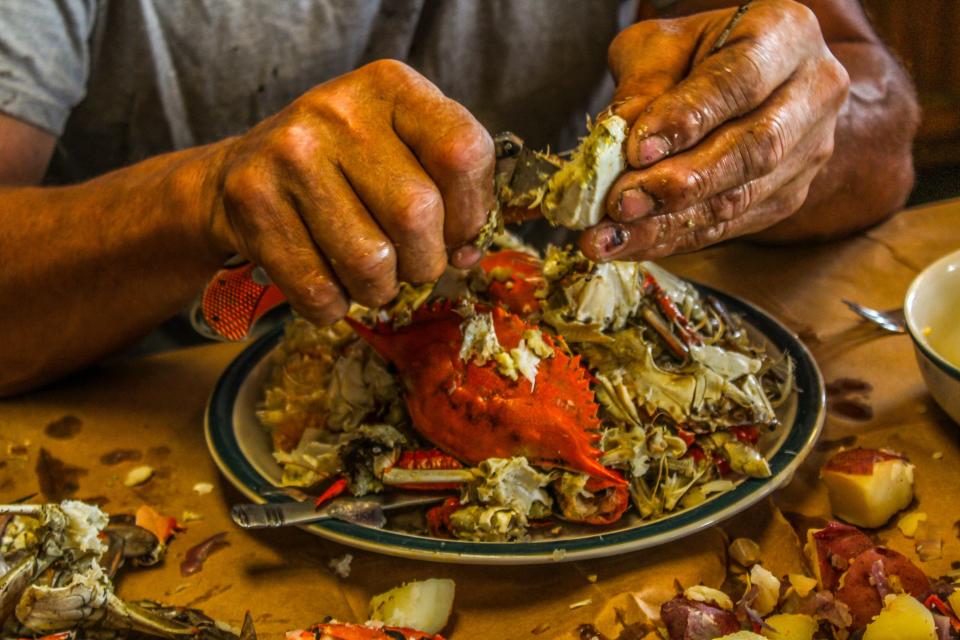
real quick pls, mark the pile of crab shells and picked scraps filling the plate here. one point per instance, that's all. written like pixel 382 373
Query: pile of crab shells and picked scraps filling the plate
pixel 532 388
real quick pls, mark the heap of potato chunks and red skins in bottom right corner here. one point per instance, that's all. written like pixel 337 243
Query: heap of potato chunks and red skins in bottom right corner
pixel 858 590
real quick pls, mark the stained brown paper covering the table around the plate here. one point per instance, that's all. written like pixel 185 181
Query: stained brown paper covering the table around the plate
pixel 155 405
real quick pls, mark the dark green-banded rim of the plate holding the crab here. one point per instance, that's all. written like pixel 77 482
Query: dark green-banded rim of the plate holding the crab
pixel 808 421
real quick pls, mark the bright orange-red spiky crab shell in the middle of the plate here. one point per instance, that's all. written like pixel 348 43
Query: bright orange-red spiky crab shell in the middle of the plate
pixel 473 412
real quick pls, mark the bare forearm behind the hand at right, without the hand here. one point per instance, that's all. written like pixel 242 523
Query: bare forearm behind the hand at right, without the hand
pixel 870 173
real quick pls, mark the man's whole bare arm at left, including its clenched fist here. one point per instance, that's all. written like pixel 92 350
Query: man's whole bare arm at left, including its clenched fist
pixel 367 180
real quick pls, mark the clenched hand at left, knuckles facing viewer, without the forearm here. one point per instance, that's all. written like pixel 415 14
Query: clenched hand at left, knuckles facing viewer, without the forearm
pixel 365 181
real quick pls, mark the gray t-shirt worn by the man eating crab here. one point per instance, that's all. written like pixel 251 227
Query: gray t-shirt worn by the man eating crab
pixel 122 80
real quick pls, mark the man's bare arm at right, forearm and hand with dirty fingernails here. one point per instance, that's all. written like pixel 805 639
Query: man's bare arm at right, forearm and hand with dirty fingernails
pixel 799 127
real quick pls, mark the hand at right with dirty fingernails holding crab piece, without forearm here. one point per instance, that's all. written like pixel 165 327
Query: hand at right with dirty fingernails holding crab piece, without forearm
pixel 724 143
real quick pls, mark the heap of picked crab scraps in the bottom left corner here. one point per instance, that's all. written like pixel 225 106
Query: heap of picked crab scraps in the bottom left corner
pixel 56 565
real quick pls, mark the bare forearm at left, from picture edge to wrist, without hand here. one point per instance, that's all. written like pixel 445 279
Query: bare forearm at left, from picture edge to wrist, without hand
pixel 89 268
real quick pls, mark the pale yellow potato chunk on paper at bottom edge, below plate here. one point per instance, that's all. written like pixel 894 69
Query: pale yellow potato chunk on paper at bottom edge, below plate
pixel 424 605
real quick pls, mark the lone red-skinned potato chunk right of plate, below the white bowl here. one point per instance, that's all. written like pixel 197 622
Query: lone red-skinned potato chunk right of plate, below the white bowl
pixel 868 486
